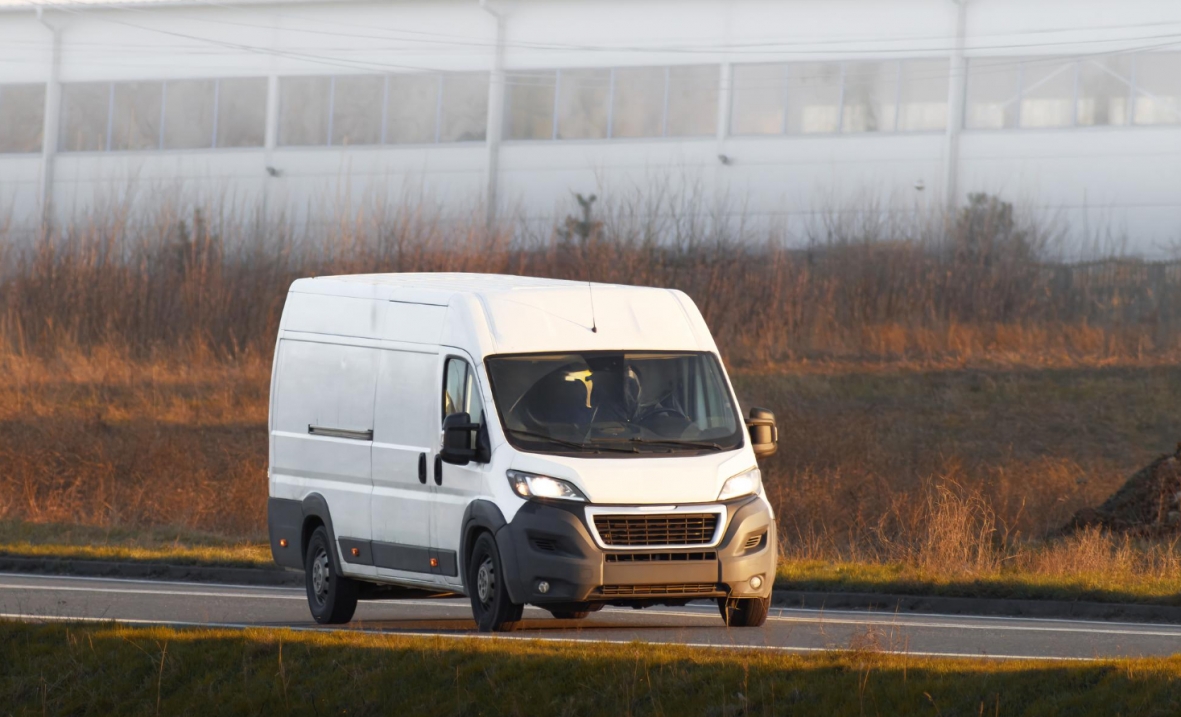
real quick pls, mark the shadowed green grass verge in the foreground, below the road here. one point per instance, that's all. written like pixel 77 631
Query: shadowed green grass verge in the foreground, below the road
pixel 110 670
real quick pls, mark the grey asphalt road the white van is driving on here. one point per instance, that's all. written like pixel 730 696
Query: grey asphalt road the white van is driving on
pixel 143 602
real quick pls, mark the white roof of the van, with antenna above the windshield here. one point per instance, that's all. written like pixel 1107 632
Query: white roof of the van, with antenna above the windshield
pixel 500 314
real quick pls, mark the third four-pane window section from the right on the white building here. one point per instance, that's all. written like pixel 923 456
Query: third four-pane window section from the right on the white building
pixel 597 105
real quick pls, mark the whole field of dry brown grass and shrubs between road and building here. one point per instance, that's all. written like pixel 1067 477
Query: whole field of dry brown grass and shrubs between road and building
pixel 947 399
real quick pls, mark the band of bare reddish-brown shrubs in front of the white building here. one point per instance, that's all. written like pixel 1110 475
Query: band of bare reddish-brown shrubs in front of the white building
pixel 978 289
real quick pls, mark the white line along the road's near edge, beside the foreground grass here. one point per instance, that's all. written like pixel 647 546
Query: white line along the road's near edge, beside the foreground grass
pixel 32 618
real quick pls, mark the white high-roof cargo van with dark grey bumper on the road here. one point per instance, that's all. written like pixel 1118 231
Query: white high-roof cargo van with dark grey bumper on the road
pixel 518 441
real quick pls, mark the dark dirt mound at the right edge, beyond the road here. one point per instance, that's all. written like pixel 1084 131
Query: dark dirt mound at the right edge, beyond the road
pixel 1150 504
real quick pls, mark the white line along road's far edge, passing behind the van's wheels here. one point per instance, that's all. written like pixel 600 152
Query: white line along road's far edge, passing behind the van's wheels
pixel 891 622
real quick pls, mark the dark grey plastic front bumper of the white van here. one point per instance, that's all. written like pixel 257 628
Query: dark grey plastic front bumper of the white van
pixel 551 543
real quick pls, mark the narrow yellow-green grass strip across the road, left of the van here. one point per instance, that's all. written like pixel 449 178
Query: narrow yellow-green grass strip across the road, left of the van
pixel 131 545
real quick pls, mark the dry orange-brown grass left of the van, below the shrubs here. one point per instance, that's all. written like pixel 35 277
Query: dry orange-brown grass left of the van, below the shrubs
pixel 105 441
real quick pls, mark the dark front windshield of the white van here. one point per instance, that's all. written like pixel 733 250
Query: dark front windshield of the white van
pixel 615 403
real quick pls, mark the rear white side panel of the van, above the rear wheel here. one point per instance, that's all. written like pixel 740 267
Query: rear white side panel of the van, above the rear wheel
pixel 322 432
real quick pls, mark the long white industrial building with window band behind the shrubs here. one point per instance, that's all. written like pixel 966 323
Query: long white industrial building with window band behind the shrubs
pixel 785 108
